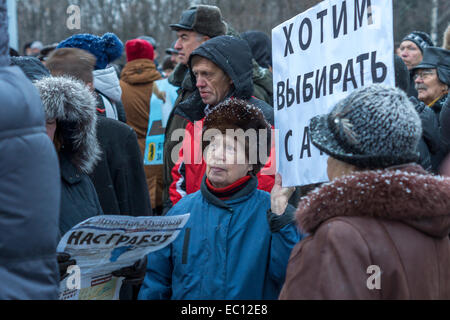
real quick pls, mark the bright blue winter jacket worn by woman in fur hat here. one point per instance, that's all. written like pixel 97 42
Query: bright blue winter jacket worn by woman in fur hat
pixel 229 250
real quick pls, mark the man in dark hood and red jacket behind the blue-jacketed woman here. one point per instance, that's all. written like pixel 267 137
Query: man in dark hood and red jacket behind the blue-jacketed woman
pixel 221 68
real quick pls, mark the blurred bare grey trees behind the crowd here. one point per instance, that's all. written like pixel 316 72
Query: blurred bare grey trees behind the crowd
pixel 45 20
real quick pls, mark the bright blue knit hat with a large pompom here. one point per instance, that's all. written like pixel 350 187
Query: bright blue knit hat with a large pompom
pixel 106 48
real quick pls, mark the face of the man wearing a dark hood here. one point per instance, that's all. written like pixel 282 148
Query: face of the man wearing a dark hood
pixel 212 83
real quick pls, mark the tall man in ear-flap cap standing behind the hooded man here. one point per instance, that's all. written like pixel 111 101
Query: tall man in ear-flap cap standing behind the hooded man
pixel 197 25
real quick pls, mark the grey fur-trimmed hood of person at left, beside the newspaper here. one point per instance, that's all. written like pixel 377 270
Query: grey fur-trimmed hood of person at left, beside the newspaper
pixel 73 105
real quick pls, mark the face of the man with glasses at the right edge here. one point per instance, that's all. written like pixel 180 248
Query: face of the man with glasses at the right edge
pixel 428 85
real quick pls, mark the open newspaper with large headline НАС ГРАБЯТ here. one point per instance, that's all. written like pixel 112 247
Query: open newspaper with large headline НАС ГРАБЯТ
pixel 103 244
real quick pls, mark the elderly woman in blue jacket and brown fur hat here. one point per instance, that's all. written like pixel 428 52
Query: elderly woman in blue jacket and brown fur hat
pixel 238 239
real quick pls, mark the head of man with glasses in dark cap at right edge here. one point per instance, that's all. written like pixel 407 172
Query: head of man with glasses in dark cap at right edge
pixel 432 77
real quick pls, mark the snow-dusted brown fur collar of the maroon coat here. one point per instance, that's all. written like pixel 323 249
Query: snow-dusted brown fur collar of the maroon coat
pixel 405 193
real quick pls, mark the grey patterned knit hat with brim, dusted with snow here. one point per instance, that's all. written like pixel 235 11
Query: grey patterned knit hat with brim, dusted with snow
pixel 374 127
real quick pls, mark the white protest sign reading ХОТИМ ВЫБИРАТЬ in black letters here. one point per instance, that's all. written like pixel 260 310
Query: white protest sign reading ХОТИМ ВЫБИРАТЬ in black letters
pixel 319 57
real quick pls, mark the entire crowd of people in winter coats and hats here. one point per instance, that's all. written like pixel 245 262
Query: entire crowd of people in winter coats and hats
pixel 74 129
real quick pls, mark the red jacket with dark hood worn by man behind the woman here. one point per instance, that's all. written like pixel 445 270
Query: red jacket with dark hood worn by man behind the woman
pixel 233 56
